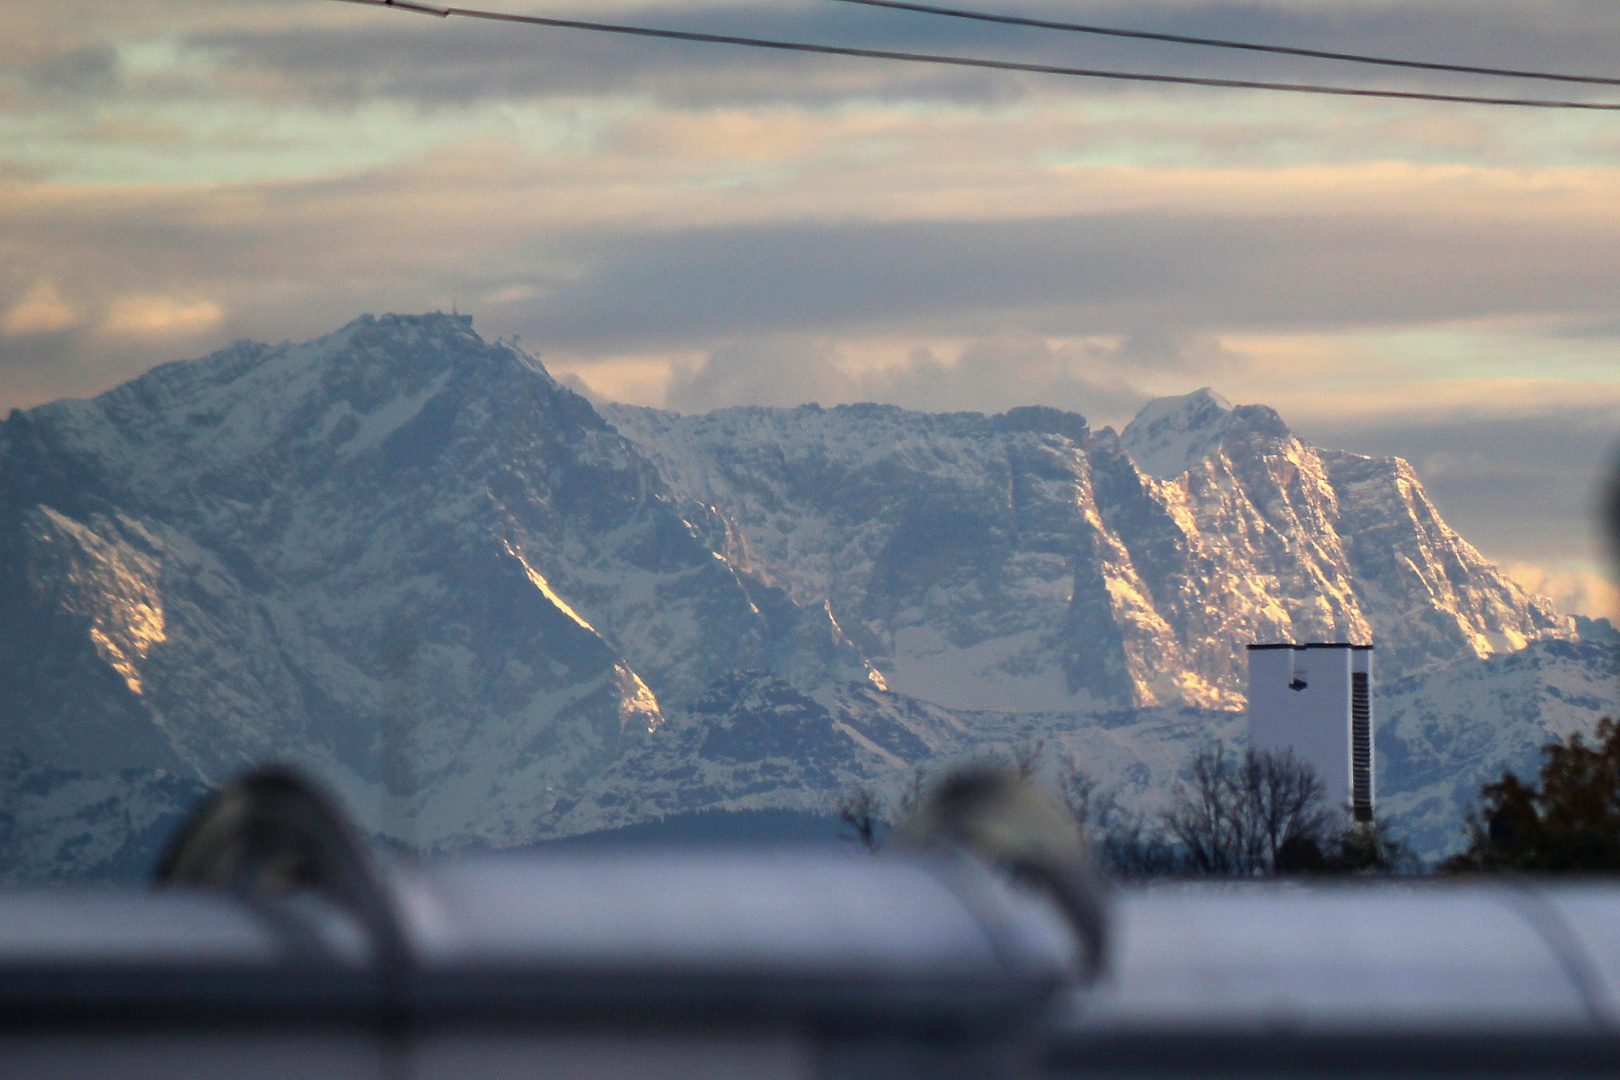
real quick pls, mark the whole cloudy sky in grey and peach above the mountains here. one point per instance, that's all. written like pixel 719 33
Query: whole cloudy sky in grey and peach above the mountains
pixel 694 226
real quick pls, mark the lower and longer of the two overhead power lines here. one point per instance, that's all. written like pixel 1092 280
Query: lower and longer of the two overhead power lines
pixel 976 62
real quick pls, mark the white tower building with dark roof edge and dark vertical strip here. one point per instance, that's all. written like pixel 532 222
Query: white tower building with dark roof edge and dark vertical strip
pixel 1318 702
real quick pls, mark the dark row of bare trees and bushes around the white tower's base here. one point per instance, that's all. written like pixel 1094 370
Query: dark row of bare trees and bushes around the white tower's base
pixel 1263 814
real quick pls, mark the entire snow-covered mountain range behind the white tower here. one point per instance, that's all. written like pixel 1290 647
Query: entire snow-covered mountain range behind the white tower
pixel 487 611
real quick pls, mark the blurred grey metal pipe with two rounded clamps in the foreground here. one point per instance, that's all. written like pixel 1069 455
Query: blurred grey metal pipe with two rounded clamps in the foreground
pixel 279 948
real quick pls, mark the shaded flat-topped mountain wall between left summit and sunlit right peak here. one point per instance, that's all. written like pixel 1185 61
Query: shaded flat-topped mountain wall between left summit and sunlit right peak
pixel 949 546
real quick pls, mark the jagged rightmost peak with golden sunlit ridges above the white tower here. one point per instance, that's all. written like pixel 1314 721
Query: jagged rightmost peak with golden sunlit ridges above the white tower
pixel 1344 548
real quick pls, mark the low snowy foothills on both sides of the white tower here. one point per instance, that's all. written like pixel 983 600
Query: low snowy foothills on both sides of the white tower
pixel 762 744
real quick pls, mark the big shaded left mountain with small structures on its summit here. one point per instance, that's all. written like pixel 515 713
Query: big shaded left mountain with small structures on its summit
pixel 399 555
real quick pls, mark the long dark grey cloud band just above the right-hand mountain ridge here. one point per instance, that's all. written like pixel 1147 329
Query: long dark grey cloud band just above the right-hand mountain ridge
pixel 1112 273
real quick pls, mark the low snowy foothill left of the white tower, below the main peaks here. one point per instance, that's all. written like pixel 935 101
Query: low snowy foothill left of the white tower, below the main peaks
pixel 759 744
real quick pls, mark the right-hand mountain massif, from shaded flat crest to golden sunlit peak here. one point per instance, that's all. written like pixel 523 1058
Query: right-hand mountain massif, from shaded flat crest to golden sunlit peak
pixel 1028 563
